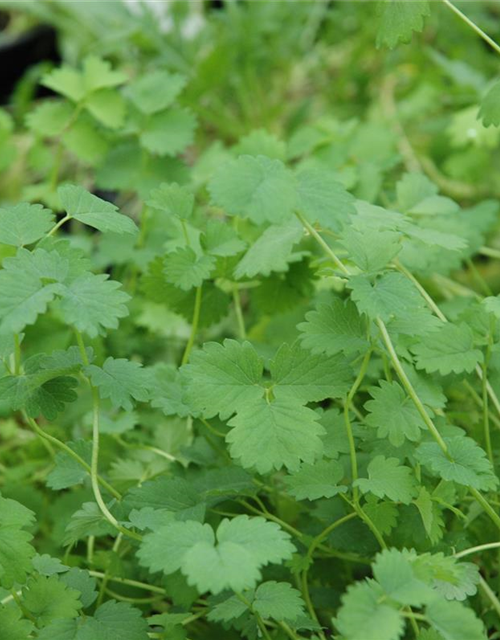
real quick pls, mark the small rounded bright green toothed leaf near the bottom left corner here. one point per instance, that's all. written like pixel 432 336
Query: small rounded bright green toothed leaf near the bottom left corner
pixel 48 599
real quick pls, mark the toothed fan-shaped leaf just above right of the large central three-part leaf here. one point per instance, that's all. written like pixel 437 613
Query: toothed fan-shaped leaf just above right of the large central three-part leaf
pixel 334 328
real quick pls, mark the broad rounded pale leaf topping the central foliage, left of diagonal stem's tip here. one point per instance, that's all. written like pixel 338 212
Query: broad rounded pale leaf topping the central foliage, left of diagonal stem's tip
pixel 257 188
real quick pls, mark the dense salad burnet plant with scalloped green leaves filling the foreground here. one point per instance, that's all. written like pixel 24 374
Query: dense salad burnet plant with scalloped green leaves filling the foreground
pixel 224 470
